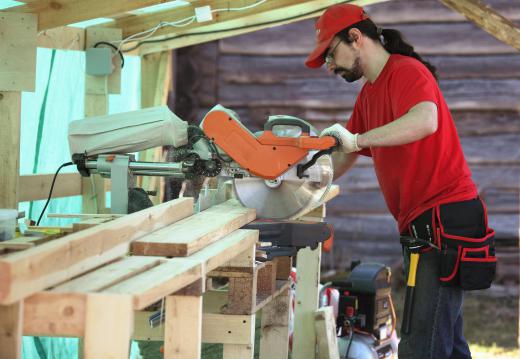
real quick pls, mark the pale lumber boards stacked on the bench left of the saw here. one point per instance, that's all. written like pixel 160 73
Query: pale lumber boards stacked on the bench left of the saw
pixel 86 284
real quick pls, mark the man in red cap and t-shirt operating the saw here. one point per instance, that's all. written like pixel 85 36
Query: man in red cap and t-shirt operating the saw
pixel 401 120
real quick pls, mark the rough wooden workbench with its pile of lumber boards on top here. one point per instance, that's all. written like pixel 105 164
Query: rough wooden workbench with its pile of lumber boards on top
pixel 98 283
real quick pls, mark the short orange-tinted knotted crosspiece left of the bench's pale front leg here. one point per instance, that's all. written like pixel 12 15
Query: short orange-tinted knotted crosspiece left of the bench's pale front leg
pixel 55 314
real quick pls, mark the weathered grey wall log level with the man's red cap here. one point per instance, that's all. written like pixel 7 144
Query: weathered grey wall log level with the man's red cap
pixel 455 39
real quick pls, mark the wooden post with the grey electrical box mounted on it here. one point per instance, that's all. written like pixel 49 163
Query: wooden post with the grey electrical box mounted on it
pixel 97 89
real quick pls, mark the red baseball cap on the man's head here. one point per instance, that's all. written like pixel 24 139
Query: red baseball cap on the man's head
pixel 332 21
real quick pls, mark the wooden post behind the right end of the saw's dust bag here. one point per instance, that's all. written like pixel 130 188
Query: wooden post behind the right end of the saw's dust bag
pixel 156 82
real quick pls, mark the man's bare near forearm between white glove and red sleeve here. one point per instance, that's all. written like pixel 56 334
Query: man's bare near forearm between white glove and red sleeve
pixel 418 123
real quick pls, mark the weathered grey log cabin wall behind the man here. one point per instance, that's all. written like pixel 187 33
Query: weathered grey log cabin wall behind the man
pixel 262 73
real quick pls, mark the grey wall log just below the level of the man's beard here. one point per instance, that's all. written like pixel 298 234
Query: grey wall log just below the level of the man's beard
pixel 332 93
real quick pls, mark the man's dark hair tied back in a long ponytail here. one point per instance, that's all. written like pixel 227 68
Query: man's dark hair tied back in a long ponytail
pixel 392 40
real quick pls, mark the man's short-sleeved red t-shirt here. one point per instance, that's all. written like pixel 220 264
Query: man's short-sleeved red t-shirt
pixel 422 174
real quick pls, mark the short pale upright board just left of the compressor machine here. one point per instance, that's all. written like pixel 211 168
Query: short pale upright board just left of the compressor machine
pixel 325 325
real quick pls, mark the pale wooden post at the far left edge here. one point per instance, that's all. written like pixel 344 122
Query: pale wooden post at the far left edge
pixel 17 73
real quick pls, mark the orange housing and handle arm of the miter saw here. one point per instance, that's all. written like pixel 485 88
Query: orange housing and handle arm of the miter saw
pixel 266 156
